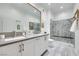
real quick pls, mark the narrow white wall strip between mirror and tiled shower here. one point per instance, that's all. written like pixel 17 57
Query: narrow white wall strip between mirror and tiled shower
pixel 46 16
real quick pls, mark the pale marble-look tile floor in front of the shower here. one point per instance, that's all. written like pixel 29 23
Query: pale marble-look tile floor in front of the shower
pixel 58 48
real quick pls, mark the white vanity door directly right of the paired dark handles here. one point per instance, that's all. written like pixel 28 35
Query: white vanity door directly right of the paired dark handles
pixel 28 47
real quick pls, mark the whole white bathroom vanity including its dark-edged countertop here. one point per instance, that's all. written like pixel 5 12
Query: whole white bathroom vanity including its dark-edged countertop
pixel 34 45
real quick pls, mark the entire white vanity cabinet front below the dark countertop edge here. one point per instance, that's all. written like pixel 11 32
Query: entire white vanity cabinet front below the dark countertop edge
pixel 31 47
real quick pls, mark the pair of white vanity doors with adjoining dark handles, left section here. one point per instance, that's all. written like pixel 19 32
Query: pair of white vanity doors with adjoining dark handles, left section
pixel 24 48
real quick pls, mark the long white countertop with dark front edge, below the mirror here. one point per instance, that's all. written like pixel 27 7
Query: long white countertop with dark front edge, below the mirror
pixel 8 41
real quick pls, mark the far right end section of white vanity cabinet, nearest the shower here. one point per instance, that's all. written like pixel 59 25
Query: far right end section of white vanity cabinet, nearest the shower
pixel 41 44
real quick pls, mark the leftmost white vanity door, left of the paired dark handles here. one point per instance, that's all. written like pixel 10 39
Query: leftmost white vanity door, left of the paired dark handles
pixel 10 50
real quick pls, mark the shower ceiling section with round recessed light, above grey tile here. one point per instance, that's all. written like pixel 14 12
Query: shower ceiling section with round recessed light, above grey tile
pixel 57 8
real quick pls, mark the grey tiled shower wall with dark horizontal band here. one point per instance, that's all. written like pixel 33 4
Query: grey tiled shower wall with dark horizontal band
pixel 60 30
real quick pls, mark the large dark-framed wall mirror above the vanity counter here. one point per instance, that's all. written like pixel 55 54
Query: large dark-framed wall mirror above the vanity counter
pixel 19 17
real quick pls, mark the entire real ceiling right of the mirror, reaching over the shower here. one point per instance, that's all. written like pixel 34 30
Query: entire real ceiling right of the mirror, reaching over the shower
pixel 55 8
